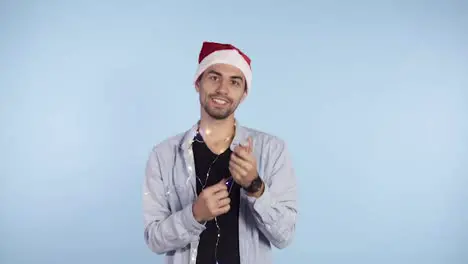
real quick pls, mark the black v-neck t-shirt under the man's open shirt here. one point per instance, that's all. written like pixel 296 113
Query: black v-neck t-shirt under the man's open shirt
pixel 228 244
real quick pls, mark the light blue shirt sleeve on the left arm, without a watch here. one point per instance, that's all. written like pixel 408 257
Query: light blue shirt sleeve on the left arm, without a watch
pixel 164 231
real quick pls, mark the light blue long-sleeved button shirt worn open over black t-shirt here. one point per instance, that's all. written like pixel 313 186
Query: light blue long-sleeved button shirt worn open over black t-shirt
pixel 169 191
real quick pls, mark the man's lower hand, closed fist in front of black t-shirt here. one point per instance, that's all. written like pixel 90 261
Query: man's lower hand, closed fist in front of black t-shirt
pixel 211 202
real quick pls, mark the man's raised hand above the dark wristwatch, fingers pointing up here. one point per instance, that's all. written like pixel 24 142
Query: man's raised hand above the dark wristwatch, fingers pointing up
pixel 243 165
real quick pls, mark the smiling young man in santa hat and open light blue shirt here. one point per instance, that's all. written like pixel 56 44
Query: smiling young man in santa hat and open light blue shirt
pixel 219 192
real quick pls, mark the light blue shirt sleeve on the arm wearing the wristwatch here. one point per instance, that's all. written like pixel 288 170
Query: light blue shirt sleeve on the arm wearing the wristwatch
pixel 276 209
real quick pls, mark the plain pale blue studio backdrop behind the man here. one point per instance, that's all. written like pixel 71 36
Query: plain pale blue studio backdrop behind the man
pixel 371 97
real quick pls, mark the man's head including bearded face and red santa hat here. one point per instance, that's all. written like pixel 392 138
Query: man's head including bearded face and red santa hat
pixel 223 79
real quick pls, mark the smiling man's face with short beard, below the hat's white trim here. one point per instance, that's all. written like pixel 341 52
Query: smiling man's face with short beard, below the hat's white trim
pixel 221 88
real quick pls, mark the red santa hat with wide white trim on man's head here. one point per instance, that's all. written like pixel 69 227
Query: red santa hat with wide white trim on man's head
pixel 213 53
